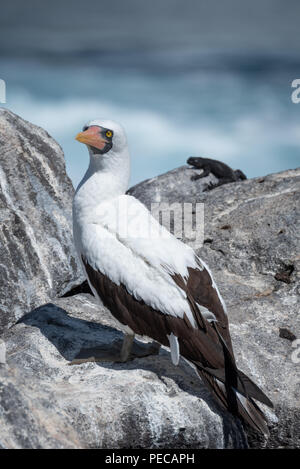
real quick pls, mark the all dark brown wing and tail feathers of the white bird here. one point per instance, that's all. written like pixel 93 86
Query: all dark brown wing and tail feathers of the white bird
pixel 208 347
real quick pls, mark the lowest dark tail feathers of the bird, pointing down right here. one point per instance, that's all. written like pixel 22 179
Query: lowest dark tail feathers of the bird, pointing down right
pixel 241 406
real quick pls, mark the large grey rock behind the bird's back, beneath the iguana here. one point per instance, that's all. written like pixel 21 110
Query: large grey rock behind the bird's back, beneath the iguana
pixel 251 244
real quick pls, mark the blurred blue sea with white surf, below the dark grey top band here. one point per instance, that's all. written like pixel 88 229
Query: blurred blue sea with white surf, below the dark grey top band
pixel 173 104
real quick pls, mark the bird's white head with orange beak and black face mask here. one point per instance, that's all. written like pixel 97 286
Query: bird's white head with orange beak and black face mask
pixel 107 145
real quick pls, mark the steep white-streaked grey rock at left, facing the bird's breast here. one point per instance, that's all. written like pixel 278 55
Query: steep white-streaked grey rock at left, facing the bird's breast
pixel 37 259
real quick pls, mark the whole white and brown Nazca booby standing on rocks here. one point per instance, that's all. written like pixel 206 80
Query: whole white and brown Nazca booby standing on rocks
pixel 152 283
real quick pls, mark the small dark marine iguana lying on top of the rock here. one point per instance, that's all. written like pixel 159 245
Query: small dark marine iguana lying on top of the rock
pixel 223 172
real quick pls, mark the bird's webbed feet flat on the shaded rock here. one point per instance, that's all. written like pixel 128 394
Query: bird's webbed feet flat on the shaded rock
pixel 119 352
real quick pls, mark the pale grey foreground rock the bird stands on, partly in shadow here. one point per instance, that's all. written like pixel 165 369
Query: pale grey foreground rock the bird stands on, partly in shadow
pixel 144 403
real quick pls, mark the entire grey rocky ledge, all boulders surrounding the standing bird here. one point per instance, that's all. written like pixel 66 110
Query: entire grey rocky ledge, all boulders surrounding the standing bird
pixel 251 244
